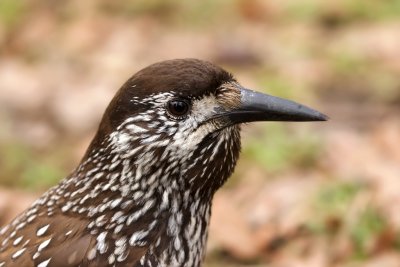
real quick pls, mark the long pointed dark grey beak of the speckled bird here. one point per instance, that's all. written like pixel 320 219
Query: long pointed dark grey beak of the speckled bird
pixel 256 106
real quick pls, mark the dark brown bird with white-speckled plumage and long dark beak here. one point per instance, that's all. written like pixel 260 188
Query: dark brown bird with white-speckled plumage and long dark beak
pixel 142 193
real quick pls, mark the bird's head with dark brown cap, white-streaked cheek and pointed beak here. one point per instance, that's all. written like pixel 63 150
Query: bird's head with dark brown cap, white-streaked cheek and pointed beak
pixel 179 121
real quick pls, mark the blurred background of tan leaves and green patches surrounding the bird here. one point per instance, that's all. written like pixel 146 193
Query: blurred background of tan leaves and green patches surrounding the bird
pixel 303 194
